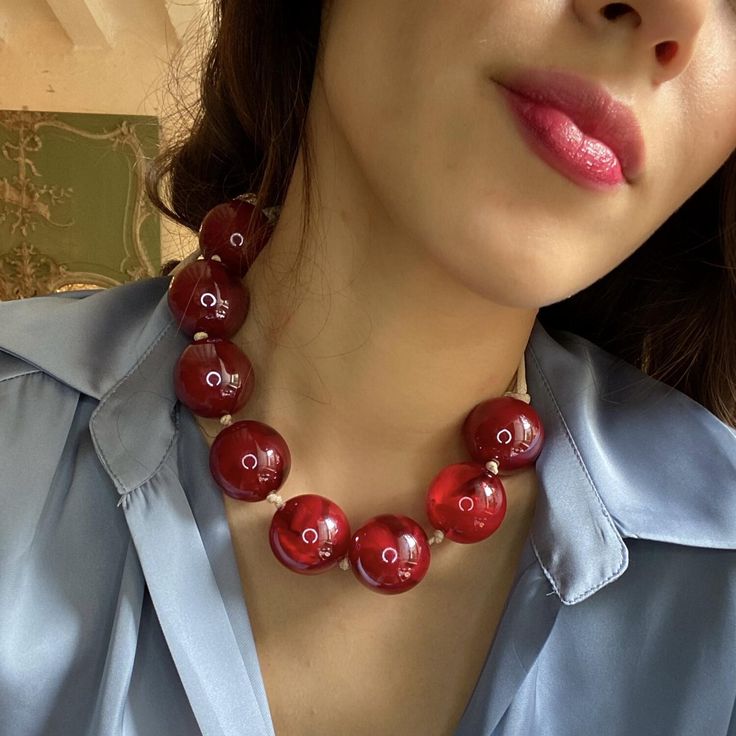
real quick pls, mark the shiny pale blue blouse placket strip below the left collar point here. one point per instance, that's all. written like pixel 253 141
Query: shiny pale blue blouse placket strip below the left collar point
pixel 190 609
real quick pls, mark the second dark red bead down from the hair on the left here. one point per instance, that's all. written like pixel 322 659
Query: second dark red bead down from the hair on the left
pixel 205 296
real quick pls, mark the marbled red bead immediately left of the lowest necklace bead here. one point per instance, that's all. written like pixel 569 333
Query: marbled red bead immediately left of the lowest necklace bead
pixel 309 534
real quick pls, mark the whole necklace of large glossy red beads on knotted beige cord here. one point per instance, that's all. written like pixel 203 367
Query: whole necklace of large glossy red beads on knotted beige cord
pixel 249 460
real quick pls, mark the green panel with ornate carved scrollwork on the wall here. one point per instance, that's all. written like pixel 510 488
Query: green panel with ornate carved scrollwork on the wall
pixel 73 211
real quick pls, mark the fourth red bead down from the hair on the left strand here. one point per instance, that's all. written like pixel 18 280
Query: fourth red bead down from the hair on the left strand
pixel 249 460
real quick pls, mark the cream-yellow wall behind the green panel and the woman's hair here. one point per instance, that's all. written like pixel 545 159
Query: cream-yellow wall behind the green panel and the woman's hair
pixel 103 56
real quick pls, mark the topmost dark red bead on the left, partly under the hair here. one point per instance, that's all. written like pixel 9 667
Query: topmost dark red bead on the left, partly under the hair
pixel 236 231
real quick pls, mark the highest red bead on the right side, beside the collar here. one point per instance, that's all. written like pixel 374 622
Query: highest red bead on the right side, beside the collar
pixel 505 429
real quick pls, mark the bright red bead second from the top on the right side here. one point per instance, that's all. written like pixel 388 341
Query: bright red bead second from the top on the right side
pixel 466 502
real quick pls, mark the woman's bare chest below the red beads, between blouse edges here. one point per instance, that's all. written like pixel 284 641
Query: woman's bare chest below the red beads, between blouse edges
pixel 339 659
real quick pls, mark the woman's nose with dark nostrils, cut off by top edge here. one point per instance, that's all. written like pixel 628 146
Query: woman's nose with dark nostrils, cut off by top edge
pixel 662 33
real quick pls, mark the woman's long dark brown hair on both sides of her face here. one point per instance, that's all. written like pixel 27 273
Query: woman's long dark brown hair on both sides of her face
pixel 669 309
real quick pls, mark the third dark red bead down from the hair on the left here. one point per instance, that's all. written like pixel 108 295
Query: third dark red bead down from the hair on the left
pixel 213 377
